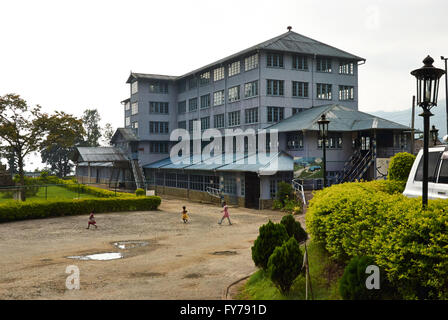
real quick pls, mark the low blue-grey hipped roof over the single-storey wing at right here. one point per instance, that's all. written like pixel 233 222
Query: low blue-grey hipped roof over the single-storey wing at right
pixel 341 119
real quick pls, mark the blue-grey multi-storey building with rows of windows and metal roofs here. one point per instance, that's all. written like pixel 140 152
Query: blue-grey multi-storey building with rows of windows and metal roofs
pixel 284 83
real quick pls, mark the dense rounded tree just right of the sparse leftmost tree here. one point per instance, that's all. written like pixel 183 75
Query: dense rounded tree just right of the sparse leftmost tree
pixel 64 133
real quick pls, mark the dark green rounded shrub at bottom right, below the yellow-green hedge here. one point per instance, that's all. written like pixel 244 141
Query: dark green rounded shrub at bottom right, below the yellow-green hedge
pixel 352 285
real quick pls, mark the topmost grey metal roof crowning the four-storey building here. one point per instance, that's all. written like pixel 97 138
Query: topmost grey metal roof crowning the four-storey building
pixel 287 42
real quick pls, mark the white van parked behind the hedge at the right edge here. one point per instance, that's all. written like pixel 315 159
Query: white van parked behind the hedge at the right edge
pixel 437 174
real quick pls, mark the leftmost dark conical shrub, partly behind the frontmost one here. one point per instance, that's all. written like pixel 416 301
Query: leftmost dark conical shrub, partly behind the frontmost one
pixel 270 236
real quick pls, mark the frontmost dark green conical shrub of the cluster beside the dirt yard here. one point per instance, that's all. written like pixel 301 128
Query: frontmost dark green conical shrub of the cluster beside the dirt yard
pixel 284 264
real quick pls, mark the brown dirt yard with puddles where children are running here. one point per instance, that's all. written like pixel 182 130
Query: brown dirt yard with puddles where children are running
pixel 197 260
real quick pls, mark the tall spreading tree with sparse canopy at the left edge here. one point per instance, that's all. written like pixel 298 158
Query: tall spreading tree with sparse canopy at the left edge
pixel 22 129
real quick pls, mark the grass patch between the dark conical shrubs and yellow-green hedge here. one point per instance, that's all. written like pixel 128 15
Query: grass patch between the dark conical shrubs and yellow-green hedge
pixel 324 274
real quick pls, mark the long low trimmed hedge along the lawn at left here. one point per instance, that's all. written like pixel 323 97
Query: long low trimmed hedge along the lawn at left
pixel 36 209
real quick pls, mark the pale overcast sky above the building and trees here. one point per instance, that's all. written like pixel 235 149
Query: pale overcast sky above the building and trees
pixel 73 55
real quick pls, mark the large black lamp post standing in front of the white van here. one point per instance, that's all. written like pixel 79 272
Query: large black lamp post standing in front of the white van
pixel 427 90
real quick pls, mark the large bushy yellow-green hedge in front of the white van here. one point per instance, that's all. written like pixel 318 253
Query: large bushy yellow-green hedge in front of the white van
pixel 374 219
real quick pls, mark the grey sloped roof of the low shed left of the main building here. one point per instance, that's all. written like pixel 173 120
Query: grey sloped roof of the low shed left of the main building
pixel 98 154
